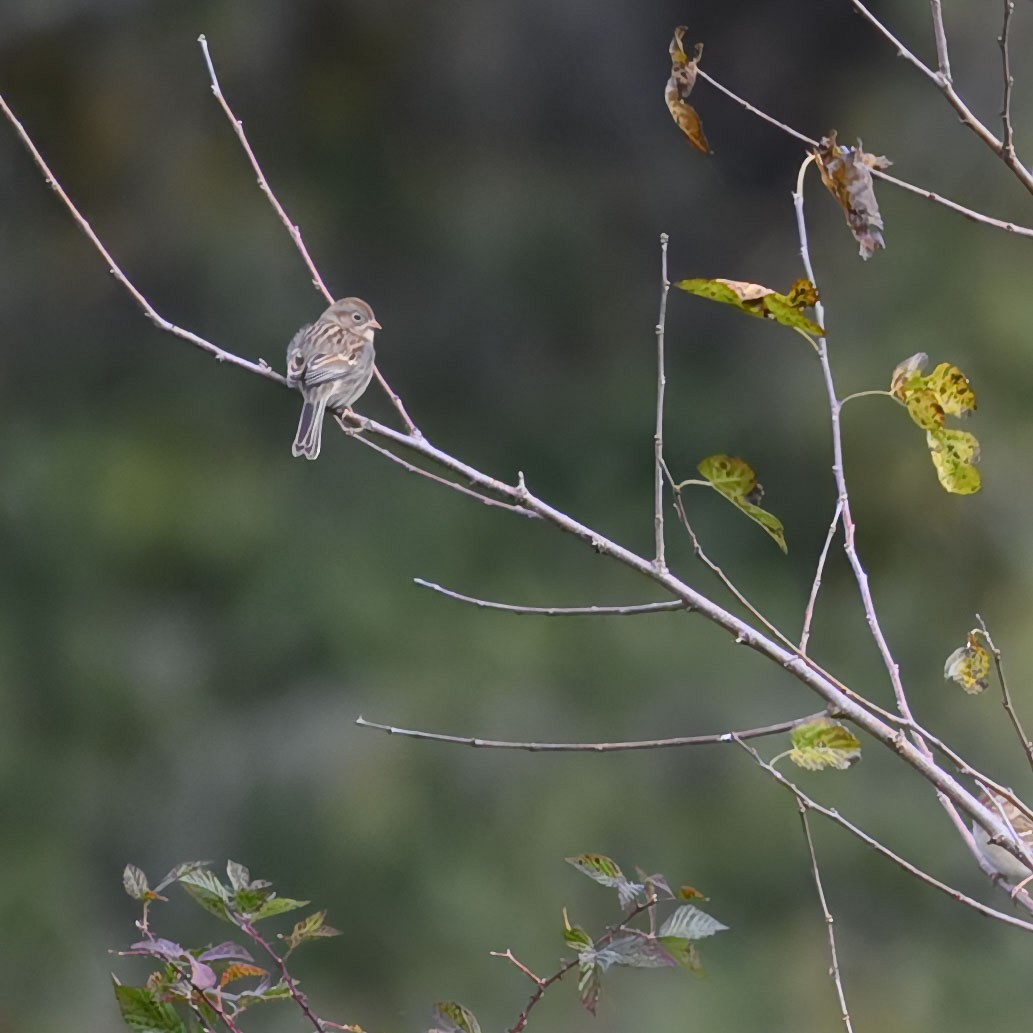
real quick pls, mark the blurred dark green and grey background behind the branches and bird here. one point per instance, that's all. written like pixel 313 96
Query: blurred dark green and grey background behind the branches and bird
pixel 192 620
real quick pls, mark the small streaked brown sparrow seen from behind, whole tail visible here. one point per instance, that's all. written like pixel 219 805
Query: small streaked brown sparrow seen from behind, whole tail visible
pixel 331 363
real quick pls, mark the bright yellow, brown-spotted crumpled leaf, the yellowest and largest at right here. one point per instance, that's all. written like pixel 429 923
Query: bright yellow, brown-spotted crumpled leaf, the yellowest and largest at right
pixel 929 401
